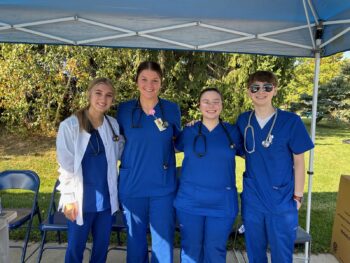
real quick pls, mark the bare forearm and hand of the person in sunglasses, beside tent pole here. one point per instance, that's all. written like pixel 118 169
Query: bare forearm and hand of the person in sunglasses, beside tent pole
pixel 299 174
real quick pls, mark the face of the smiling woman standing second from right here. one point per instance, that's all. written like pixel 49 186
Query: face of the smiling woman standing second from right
pixel 210 105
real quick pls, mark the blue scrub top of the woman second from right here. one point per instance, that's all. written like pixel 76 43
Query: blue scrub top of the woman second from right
pixel 208 183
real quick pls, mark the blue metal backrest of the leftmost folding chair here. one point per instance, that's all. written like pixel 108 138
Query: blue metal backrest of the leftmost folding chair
pixel 19 179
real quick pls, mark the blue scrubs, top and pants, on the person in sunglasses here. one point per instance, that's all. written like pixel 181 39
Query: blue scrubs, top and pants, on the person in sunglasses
pixel 269 212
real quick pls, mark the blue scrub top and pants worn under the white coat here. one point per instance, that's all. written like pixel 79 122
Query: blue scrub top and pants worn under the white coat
pixel 96 206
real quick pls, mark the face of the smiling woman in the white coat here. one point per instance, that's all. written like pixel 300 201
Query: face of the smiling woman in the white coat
pixel 100 98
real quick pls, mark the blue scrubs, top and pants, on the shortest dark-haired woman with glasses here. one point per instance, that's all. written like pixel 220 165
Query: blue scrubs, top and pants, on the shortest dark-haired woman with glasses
pixel 206 202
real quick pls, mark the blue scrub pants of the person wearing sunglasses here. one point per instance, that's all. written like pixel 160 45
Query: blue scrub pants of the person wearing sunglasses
pixel 277 230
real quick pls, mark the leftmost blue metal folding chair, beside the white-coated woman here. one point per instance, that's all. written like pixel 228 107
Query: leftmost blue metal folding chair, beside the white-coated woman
pixel 23 180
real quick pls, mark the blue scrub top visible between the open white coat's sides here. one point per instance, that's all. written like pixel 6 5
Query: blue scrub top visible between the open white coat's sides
pixel 95 185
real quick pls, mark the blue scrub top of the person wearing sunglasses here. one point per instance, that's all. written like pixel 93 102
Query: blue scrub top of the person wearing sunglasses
pixel 268 182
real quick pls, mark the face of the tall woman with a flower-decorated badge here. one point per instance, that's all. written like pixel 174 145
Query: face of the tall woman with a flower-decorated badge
pixel 148 83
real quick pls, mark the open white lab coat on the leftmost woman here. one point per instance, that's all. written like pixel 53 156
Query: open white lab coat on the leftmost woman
pixel 71 144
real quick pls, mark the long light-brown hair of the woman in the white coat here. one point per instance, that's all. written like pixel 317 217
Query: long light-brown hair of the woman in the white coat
pixel 84 122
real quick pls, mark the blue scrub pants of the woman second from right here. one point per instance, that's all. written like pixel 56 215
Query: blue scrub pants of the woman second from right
pixel 203 238
